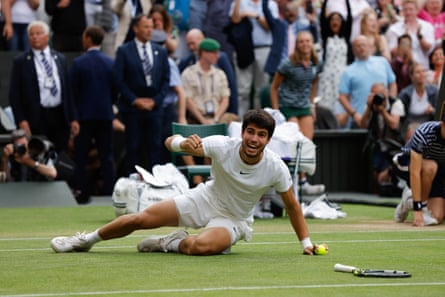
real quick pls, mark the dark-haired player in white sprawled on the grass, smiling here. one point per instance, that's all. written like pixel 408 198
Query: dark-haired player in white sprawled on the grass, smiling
pixel 243 169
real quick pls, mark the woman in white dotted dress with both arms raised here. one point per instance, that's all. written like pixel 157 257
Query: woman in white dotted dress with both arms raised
pixel 337 53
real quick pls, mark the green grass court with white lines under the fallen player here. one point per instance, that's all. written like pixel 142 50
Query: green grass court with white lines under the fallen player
pixel 270 265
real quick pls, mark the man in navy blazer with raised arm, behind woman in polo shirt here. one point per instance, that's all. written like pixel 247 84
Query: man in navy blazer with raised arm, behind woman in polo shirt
pixel 279 28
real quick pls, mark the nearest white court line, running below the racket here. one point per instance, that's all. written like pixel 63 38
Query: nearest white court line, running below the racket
pixel 253 288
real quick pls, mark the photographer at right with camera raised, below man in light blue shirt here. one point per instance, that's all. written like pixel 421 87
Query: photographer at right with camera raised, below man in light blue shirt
pixel 382 119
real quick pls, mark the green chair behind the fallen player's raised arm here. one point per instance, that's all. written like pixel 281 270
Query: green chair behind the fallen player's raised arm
pixel 202 131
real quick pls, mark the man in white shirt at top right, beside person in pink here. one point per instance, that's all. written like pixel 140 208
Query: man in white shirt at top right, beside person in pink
pixel 421 32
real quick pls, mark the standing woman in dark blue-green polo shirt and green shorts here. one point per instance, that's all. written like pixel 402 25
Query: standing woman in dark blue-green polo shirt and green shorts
pixel 293 90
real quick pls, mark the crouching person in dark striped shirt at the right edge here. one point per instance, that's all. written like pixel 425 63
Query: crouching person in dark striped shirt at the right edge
pixel 422 164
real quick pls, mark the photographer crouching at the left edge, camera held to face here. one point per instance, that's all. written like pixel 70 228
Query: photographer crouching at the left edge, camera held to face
pixel 27 159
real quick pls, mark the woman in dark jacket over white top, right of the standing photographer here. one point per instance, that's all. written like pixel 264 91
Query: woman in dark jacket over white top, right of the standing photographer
pixel 419 98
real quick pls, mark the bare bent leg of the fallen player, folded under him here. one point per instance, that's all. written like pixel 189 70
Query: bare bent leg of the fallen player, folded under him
pixel 209 242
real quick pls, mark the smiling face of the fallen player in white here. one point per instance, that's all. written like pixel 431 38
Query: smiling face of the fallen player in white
pixel 254 141
